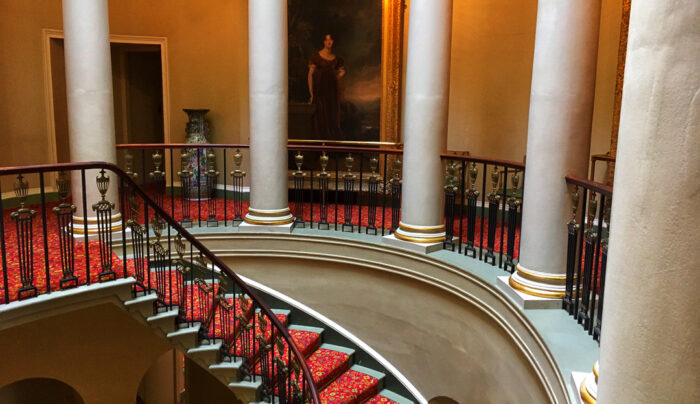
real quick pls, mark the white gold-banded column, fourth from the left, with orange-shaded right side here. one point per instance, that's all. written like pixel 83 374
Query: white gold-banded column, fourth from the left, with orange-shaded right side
pixel 558 140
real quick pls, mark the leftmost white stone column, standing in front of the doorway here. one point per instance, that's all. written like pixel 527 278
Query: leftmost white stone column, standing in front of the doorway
pixel 89 98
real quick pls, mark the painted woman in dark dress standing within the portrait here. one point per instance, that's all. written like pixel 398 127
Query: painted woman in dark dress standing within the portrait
pixel 325 71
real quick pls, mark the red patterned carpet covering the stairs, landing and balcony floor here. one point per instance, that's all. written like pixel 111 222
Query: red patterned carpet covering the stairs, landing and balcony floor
pixel 331 369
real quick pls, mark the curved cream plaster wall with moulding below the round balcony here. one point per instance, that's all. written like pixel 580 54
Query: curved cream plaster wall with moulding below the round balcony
pixel 446 330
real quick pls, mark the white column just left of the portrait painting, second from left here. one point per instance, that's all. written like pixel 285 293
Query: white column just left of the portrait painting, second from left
pixel 267 33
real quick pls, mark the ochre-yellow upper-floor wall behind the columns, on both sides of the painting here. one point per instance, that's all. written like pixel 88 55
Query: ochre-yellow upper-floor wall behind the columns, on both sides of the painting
pixel 492 47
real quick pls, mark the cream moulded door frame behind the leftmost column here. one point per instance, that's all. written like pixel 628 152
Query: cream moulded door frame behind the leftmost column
pixel 49 34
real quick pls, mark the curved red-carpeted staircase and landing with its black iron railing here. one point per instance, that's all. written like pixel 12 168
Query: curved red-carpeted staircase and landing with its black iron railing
pixel 181 291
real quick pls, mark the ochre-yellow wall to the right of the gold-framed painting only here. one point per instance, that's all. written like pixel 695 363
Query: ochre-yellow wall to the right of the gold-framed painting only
pixel 492 49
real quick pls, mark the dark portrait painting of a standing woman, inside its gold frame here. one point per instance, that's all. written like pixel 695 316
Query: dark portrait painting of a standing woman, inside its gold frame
pixel 335 68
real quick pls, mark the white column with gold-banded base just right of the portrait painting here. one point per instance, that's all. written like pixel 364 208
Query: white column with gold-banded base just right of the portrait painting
pixel 425 125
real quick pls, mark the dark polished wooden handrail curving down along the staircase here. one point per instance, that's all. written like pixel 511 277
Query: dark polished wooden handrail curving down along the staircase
pixel 41 168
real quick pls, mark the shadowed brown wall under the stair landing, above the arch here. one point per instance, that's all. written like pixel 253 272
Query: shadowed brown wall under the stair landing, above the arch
pixel 100 351
